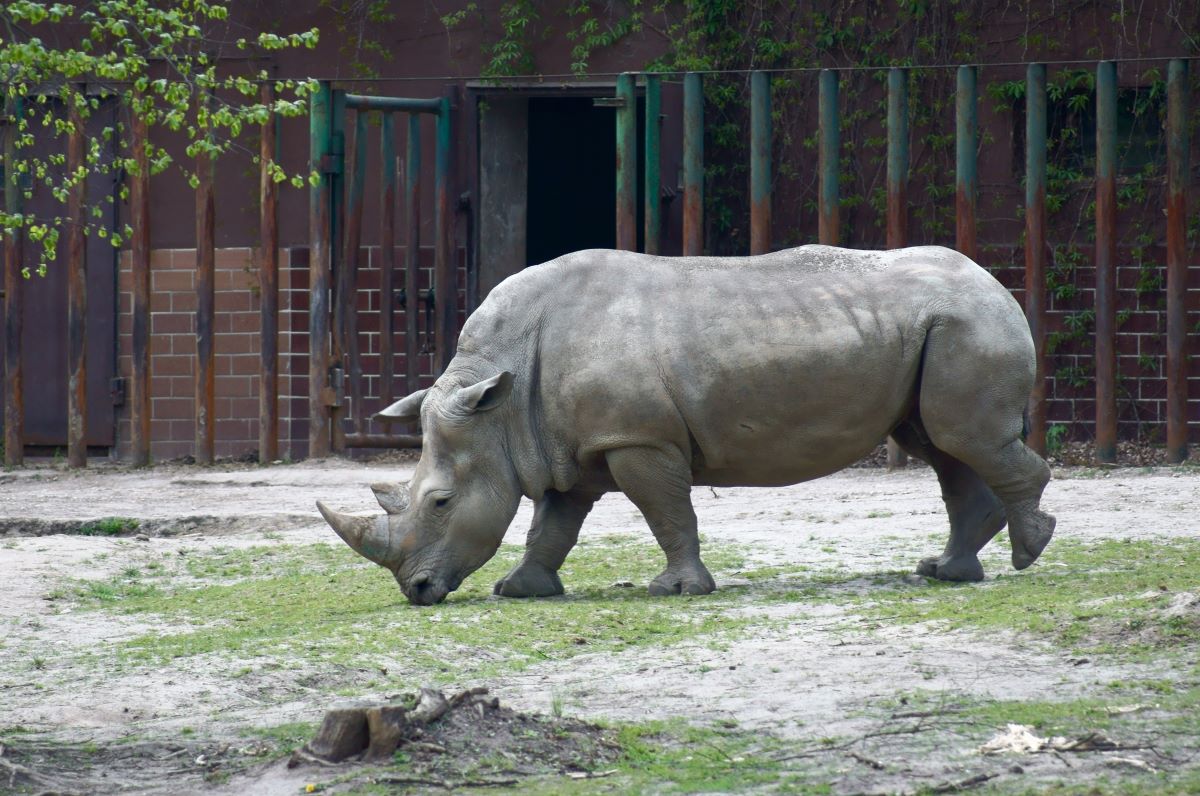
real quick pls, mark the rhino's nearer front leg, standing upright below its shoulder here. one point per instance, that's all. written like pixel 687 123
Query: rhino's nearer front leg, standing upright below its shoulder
pixel 659 484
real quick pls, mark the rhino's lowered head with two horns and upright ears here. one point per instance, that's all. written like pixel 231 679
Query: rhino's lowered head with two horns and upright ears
pixel 451 519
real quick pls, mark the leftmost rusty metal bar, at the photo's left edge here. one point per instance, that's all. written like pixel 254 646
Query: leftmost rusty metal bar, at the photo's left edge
pixel 14 300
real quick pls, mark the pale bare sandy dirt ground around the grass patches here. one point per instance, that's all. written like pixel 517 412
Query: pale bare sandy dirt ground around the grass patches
pixel 808 678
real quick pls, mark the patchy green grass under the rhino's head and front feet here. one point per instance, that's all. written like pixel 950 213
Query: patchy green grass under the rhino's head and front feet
pixel 323 603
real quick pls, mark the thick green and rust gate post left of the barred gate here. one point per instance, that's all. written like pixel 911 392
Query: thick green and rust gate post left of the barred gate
pixel 320 230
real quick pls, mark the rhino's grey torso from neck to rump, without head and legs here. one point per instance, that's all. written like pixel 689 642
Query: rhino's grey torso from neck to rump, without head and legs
pixel 767 370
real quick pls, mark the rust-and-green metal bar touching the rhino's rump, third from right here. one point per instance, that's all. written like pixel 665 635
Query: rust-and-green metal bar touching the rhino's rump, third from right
pixel 1036 246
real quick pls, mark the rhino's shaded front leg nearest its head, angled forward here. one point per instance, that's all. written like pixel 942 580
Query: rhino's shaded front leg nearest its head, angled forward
pixel 557 519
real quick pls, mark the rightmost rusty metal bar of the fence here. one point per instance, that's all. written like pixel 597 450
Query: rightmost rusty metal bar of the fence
pixel 1177 261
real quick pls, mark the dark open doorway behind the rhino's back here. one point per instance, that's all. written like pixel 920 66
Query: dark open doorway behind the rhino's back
pixel 573 184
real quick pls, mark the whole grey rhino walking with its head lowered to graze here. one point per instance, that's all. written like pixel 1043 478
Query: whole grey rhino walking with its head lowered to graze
pixel 604 372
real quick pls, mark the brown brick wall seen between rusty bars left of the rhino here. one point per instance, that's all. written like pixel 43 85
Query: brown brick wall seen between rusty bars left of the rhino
pixel 238 345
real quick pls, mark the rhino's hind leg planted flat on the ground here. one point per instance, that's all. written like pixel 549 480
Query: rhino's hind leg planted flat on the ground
pixel 975 512
